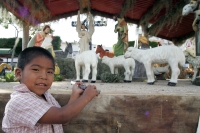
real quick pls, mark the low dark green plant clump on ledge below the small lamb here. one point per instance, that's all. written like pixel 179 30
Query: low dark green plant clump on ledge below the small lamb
pixel 110 78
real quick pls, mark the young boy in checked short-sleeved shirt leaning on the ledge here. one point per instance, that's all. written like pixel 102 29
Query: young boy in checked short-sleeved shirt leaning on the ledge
pixel 31 107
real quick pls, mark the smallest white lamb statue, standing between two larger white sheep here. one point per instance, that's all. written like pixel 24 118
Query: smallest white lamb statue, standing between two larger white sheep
pixel 119 61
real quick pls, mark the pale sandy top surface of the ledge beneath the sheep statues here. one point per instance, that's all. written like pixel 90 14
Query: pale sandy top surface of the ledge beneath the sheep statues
pixel 183 87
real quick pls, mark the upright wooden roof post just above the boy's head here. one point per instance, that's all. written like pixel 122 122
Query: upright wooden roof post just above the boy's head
pixel 25 38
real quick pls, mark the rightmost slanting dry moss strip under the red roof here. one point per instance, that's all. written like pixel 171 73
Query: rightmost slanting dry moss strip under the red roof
pixel 170 18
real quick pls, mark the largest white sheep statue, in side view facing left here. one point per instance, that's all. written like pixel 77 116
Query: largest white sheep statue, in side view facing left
pixel 160 55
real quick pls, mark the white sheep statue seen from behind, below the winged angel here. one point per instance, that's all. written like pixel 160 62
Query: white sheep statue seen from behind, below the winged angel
pixel 85 60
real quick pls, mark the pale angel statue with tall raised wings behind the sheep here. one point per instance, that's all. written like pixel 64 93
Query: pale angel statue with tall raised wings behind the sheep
pixel 84 33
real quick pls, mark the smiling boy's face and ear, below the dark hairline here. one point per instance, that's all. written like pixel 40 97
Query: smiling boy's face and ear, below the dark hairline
pixel 38 75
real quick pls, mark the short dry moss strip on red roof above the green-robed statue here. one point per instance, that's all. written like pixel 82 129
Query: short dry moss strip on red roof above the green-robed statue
pixel 128 4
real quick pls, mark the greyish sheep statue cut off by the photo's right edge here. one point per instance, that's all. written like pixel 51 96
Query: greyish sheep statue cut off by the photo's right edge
pixel 193 60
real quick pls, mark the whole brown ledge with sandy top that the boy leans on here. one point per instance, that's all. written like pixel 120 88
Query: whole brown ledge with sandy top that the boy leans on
pixel 159 110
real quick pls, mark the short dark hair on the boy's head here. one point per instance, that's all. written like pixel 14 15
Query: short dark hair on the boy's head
pixel 28 54
